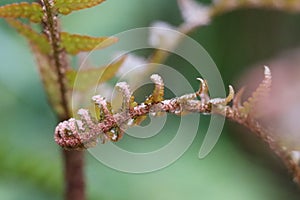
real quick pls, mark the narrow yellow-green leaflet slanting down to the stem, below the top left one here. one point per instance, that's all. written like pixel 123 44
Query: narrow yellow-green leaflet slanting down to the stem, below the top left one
pixel 35 38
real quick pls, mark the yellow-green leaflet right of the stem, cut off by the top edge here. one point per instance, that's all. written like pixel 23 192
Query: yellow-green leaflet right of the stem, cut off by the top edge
pixel 67 6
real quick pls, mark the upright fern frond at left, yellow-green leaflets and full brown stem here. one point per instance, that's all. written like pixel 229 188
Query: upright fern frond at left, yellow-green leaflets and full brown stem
pixel 51 48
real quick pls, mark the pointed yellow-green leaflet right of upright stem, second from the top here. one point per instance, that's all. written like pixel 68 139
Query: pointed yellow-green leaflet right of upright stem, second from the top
pixel 74 43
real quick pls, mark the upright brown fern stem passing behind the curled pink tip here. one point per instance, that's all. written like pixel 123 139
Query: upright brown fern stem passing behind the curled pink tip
pixel 73 160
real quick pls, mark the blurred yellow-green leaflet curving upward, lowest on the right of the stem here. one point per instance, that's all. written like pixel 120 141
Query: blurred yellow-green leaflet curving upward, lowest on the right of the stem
pixel 83 79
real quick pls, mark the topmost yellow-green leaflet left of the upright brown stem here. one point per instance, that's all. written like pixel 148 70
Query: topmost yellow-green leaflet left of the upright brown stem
pixel 32 11
